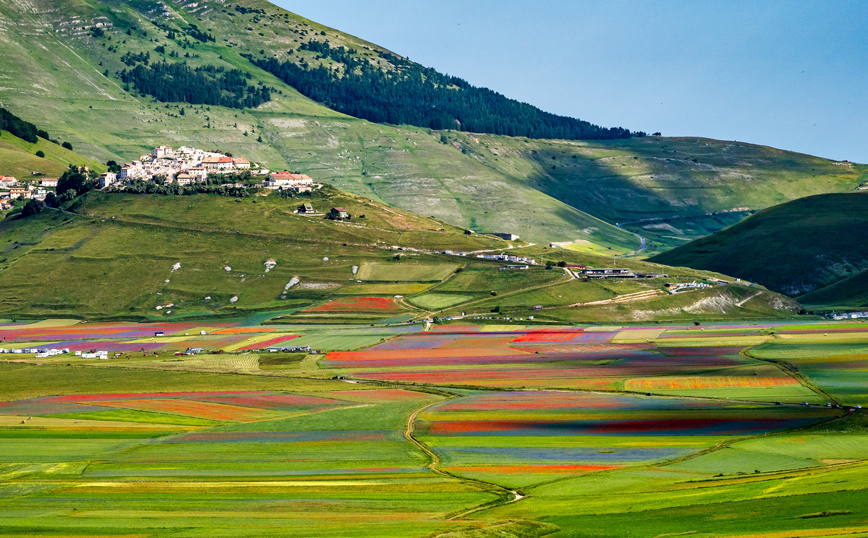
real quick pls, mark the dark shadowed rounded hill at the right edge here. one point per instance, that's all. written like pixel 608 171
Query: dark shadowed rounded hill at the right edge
pixel 814 248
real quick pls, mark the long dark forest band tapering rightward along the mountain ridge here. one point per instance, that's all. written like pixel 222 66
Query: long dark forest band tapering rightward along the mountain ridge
pixel 416 95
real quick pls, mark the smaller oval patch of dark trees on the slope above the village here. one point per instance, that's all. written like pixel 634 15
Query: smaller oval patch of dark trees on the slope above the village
pixel 205 85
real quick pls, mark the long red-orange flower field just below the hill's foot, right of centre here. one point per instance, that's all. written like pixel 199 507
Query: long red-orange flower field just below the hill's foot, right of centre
pixel 575 359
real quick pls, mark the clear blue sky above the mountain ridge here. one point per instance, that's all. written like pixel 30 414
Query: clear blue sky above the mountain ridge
pixel 789 74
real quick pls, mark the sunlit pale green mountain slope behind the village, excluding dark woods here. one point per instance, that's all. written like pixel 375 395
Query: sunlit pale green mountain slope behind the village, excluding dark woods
pixel 406 167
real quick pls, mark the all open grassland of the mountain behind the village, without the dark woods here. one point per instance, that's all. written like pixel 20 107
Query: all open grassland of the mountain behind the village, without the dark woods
pixel 514 191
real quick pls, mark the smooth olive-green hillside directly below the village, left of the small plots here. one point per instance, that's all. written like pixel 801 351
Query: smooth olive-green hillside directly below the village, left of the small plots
pixel 116 256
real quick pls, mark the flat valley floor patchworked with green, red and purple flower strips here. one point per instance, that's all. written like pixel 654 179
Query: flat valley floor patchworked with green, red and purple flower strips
pixel 457 430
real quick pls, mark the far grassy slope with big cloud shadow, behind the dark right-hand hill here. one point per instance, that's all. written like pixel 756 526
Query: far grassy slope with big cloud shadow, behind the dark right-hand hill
pixel 664 188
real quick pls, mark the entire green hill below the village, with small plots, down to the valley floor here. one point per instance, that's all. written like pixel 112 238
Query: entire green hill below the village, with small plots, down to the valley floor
pixel 148 257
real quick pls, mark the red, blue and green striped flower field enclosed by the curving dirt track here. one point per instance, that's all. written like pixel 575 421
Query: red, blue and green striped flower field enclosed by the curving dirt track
pixel 527 435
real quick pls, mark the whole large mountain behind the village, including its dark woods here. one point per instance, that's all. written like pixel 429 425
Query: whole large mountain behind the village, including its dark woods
pixel 78 68
